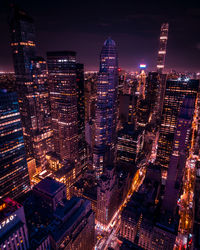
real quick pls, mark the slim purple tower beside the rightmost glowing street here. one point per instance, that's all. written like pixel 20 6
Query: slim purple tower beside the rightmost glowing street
pixel 179 155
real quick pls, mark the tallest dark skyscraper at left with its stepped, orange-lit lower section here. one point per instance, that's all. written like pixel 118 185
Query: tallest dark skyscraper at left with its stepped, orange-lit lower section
pixel 32 87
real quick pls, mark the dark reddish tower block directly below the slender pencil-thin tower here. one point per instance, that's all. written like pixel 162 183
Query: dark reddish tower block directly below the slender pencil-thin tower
pixel 155 91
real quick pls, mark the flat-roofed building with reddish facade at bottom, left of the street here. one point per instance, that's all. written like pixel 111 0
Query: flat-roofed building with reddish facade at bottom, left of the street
pixel 73 227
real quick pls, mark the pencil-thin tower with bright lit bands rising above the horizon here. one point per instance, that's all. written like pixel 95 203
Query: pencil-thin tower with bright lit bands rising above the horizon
pixel 162 47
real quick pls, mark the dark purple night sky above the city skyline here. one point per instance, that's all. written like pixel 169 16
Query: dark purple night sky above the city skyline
pixel 134 25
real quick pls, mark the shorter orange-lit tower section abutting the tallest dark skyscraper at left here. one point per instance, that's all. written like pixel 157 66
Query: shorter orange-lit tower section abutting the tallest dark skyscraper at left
pixel 41 125
